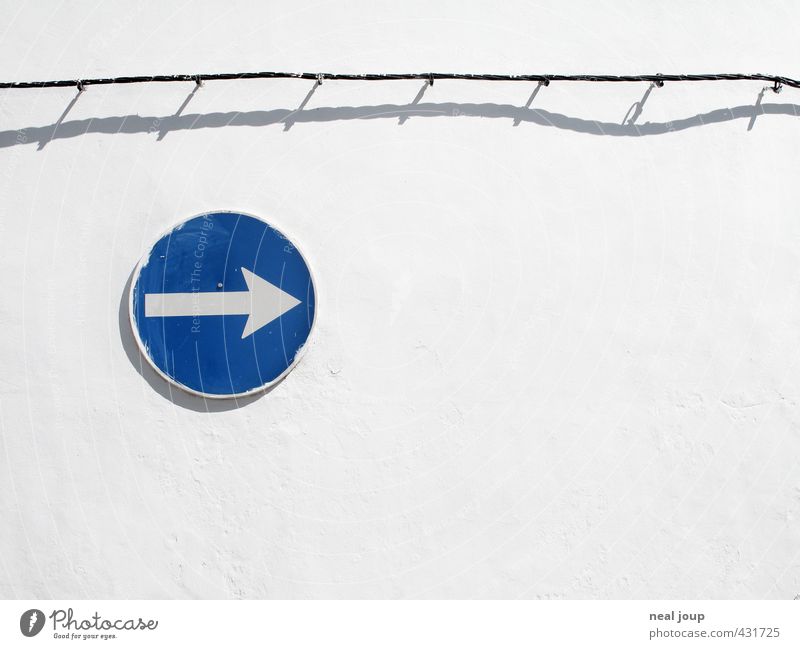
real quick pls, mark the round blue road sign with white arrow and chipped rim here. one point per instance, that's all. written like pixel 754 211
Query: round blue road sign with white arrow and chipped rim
pixel 222 305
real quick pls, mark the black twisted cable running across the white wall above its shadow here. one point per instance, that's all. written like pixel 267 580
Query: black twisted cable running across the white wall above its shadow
pixel 545 79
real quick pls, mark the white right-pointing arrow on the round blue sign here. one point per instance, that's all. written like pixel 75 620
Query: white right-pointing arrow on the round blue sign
pixel 262 302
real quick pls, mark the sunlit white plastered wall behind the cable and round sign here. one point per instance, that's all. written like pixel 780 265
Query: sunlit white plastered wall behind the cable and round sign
pixel 548 362
